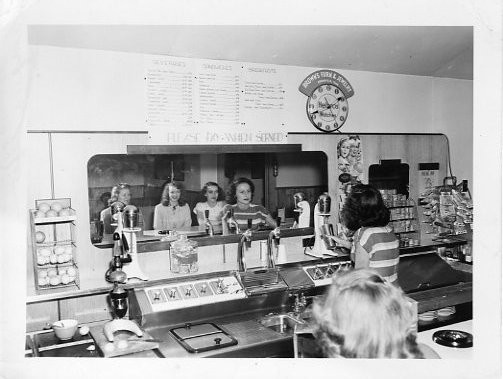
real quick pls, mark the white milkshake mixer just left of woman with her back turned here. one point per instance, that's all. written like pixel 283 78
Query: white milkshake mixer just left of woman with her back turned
pixel 322 245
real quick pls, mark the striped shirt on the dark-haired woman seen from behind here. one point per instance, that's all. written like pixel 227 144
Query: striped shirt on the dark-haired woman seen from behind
pixel 381 245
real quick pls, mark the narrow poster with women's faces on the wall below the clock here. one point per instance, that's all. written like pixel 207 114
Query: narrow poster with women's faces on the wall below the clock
pixel 349 168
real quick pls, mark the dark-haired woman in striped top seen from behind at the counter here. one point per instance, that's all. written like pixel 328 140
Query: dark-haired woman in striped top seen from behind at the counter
pixel 374 244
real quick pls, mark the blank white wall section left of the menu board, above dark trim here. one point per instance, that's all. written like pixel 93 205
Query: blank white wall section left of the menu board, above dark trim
pixel 78 89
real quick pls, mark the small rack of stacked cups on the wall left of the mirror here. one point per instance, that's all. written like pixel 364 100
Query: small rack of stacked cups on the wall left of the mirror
pixel 52 226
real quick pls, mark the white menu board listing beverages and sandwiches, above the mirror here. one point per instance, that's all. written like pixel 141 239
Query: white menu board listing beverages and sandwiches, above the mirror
pixel 213 95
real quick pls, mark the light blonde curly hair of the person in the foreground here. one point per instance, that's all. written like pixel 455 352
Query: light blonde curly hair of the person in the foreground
pixel 364 316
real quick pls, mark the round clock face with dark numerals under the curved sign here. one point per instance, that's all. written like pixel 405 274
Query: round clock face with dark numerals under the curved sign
pixel 327 108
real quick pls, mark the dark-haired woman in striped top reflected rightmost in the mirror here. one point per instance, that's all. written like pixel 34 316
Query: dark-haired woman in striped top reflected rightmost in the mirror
pixel 240 197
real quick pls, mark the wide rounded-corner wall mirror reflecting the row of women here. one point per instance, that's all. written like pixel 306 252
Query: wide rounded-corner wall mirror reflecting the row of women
pixel 139 179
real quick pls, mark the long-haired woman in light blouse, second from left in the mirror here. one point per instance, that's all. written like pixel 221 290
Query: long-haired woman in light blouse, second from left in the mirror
pixel 173 212
